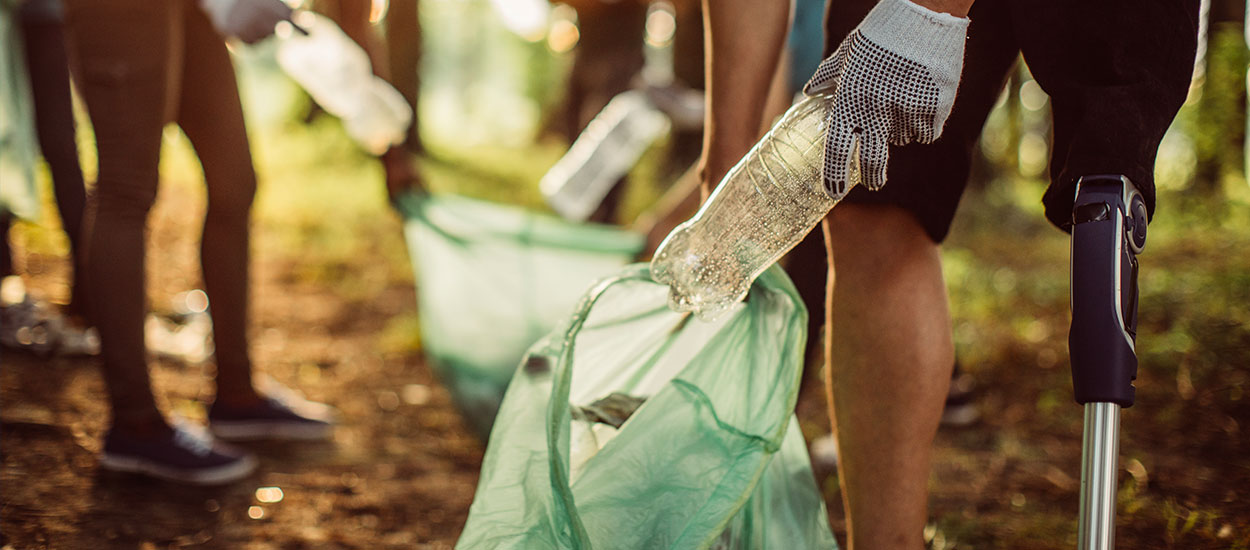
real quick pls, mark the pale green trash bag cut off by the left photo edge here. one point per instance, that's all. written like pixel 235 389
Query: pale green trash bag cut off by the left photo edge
pixel 18 147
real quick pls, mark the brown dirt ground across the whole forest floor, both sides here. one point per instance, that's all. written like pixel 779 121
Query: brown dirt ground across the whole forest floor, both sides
pixel 402 469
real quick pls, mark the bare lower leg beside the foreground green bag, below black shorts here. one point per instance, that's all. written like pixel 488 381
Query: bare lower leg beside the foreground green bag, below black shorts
pixel 891 357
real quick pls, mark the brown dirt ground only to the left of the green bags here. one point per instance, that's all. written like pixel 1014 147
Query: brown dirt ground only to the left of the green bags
pixel 401 472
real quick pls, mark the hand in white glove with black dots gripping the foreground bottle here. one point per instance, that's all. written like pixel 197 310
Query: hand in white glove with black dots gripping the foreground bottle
pixel 894 82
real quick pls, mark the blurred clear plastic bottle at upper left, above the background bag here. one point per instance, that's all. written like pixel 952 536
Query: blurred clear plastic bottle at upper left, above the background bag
pixel 337 73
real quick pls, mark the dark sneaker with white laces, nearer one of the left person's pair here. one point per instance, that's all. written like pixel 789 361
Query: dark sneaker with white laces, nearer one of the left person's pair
pixel 188 456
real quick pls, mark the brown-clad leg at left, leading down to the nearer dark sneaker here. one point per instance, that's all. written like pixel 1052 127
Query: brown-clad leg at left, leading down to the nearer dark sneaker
pixel 123 51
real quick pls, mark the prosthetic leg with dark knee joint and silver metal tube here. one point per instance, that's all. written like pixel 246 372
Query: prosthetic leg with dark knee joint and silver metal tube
pixel 1109 231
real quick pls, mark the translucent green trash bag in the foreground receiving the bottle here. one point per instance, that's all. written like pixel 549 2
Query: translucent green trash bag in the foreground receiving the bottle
pixel 712 459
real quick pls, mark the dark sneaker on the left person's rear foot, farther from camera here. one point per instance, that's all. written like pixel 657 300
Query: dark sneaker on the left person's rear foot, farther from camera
pixel 282 416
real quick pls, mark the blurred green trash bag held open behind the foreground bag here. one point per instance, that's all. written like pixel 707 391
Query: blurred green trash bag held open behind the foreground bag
pixel 494 279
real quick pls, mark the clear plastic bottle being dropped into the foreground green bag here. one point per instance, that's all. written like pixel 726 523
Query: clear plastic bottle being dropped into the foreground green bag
pixel 763 208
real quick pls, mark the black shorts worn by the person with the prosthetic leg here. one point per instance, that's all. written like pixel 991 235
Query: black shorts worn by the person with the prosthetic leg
pixel 1117 73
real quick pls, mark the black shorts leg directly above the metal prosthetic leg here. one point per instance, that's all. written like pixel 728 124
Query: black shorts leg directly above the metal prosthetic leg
pixel 1117 73
